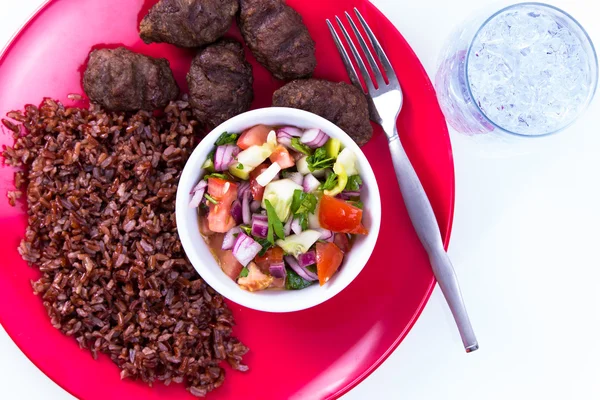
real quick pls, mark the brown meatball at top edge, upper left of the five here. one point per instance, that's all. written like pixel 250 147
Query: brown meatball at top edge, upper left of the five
pixel 188 23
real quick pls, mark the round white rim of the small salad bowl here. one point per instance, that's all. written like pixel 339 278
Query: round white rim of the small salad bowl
pixel 254 300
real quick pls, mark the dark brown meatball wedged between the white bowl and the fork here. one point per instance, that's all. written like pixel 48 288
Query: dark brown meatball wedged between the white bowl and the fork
pixel 341 103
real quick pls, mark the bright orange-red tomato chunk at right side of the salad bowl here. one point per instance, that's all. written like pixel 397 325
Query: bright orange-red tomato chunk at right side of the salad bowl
pixel 339 216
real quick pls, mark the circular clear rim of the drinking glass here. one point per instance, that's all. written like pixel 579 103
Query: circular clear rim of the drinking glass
pixel 593 64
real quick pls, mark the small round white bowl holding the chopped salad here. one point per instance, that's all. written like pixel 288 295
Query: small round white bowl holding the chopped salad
pixel 275 300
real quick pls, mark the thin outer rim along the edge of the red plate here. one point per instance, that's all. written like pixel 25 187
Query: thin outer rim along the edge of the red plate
pixel 446 239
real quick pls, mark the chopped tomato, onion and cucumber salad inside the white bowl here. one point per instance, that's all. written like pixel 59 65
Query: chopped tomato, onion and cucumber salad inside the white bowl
pixel 279 207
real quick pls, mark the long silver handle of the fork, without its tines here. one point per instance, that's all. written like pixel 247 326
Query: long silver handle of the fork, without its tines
pixel 426 226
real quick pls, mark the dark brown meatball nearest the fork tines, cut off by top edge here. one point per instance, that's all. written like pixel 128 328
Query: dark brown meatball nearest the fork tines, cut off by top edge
pixel 278 38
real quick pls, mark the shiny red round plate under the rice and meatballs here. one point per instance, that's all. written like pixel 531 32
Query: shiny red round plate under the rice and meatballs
pixel 317 353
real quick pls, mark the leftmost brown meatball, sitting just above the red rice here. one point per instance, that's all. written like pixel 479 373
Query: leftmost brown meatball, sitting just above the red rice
pixel 121 80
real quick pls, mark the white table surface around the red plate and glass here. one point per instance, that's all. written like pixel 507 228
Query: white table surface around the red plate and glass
pixel 525 246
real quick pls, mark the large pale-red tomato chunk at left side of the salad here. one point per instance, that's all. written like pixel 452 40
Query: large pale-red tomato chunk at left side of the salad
pixel 219 215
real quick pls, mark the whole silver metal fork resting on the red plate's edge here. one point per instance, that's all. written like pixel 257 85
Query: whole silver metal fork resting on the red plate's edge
pixel 386 101
